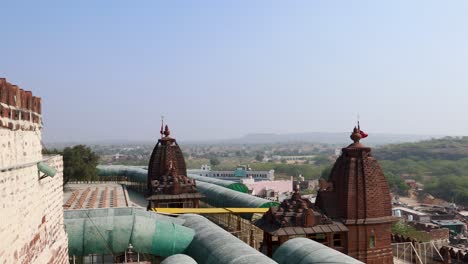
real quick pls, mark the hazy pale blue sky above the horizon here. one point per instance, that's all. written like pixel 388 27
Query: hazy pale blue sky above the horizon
pixel 222 69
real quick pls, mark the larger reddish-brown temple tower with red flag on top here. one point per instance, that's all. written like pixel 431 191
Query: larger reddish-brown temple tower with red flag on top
pixel 357 193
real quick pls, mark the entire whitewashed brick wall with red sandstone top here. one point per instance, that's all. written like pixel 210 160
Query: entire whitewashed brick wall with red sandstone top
pixel 31 224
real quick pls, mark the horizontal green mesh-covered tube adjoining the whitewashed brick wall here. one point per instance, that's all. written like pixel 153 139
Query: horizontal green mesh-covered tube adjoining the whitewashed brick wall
pixel 111 230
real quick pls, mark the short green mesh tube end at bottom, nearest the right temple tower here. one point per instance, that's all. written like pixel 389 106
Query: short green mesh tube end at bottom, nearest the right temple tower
pixel 306 251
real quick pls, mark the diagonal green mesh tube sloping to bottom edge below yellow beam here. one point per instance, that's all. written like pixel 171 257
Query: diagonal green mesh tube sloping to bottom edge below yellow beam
pixel 214 245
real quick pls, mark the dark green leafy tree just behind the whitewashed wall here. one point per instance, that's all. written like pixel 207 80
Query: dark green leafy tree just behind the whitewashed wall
pixel 79 163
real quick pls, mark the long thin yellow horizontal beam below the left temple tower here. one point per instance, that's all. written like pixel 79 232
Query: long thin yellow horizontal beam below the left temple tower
pixel 210 210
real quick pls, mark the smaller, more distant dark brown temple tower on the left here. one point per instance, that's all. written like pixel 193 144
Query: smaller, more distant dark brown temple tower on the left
pixel 168 184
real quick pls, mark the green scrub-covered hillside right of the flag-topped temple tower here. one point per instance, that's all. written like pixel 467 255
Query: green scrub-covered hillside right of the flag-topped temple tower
pixel 441 165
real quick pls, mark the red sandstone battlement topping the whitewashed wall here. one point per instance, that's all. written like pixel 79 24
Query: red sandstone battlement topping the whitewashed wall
pixel 19 109
